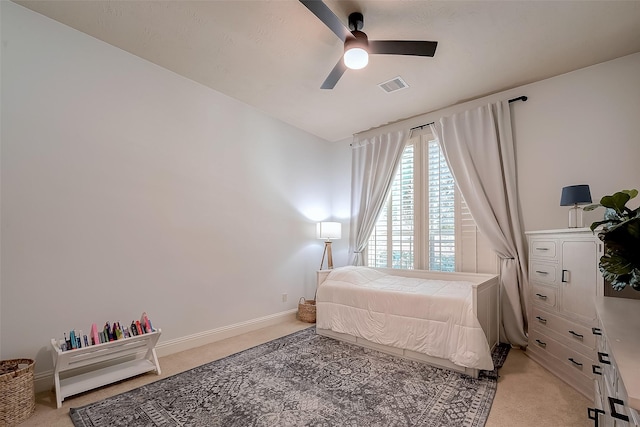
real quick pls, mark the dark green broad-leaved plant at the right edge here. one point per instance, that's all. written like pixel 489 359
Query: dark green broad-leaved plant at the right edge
pixel 620 232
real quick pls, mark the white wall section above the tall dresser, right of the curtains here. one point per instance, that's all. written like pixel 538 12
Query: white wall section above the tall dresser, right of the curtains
pixel 578 128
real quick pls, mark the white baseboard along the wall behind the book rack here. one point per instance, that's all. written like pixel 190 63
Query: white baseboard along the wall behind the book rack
pixel 43 381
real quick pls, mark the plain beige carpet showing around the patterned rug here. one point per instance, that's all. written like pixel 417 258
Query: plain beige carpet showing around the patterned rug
pixel 527 394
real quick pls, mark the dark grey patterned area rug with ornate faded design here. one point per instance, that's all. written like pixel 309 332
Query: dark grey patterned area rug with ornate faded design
pixel 303 379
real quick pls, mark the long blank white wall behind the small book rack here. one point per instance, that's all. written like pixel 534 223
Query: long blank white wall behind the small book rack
pixel 127 188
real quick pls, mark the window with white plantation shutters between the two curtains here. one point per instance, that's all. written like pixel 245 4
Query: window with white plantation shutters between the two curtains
pixel 424 223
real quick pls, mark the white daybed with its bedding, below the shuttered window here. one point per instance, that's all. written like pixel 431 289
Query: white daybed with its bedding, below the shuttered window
pixel 449 320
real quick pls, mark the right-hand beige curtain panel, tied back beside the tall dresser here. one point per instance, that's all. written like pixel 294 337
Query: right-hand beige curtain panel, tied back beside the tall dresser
pixel 478 146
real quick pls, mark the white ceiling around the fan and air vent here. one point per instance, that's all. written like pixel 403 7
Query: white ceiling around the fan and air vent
pixel 274 55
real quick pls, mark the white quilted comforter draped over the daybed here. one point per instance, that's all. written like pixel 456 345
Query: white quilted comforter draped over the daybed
pixel 433 317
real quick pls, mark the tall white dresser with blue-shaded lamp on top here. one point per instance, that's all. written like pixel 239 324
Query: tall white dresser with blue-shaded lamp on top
pixel 564 280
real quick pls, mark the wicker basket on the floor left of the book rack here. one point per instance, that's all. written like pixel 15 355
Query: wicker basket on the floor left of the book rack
pixel 17 397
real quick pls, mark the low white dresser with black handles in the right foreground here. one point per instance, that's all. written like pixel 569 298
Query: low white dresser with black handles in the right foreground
pixel 617 369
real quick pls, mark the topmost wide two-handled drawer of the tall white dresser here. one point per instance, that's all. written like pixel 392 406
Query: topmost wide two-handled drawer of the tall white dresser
pixel 575 335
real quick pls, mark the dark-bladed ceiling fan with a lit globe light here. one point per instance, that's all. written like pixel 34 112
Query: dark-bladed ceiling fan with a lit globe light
pixel 357 47
